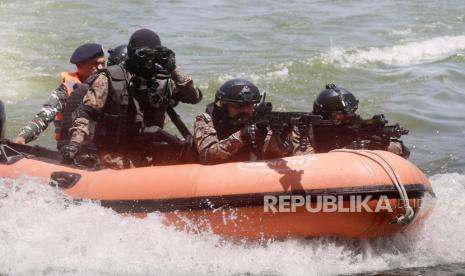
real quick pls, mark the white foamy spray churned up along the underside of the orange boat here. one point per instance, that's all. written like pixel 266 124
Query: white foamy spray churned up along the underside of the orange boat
pixel 42 232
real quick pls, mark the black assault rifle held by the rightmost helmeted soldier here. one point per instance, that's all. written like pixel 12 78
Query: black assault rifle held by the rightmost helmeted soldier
pixel 355 133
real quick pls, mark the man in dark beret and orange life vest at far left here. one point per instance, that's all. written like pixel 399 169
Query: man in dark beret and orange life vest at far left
pixel 88 58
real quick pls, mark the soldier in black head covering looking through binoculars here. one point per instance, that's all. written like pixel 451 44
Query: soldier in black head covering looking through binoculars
pixel 128 102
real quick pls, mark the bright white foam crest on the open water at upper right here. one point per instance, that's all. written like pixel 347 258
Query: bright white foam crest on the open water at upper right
pixel 405 54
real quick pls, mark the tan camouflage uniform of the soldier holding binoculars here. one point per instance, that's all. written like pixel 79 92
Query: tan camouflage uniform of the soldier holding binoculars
pixel 181 88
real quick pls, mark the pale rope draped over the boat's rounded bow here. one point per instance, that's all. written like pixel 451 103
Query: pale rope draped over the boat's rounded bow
pixel 392 172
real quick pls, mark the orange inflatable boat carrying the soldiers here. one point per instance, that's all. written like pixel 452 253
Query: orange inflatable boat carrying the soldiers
pixel 357 194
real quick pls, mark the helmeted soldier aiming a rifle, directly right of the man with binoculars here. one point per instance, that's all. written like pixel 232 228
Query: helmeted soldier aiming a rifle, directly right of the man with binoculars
pixel 220 134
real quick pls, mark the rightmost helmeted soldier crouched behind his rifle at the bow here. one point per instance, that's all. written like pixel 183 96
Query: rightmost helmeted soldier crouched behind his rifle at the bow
pixel 337 104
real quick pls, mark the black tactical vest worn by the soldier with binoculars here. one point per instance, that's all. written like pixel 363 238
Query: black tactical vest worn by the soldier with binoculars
pixel 123 117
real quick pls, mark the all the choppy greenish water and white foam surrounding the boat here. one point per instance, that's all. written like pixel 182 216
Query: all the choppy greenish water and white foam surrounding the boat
pixel 402 58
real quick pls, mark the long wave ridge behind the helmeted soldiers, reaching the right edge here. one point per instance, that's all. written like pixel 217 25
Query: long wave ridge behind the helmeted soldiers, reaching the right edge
pixel 439 49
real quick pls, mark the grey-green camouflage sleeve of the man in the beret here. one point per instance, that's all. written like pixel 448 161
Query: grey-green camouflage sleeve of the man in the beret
pixel 55 103
